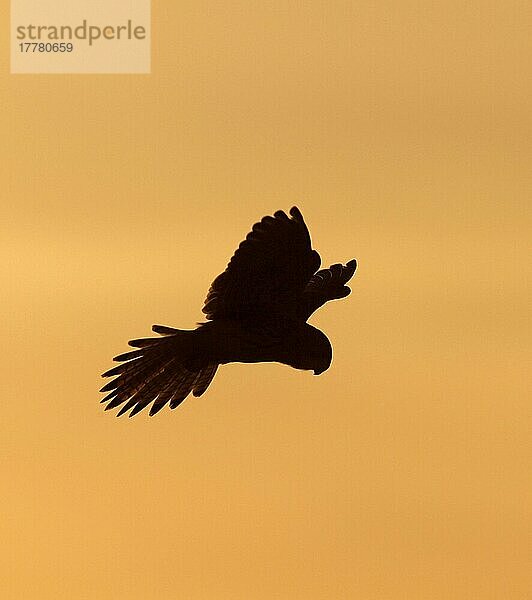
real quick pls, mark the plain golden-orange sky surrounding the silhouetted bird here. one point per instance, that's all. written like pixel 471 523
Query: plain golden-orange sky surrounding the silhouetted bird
pixel 402 130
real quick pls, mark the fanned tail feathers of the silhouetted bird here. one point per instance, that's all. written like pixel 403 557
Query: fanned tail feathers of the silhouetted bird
pixel 161 370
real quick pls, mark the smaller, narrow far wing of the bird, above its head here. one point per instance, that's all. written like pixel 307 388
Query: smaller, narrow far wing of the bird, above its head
pixel 327 284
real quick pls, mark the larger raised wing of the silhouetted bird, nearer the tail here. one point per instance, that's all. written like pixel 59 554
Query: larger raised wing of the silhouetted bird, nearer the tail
pixel 268 272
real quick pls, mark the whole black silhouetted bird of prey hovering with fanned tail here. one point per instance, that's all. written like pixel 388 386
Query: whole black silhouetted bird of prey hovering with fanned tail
pixel 257 311
